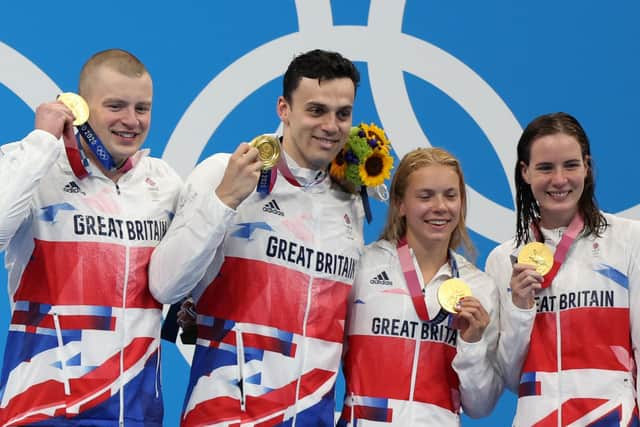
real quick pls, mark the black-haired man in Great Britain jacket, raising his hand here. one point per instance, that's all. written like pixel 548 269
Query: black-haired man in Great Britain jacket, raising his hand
pixel 270 270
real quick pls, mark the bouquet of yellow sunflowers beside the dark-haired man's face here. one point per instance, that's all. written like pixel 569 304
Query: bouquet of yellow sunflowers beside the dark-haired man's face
pixel 365 160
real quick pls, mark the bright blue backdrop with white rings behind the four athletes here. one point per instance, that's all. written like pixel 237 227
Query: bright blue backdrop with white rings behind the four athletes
pixel 463 75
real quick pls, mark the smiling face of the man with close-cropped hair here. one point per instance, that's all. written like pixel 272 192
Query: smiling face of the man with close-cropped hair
pixel 120 110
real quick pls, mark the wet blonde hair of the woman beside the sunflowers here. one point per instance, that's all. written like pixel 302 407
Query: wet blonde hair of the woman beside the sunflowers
pixel 396 226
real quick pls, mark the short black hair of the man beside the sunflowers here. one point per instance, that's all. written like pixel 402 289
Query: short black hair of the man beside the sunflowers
pixel 318 64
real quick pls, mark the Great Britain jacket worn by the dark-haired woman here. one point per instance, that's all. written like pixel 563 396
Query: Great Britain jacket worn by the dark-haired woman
pixel 572 358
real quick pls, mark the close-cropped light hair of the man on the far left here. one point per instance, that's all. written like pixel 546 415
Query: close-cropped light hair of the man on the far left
pixel 116 59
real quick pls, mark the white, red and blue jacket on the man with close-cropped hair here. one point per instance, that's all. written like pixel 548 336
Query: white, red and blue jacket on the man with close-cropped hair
pixel 83 343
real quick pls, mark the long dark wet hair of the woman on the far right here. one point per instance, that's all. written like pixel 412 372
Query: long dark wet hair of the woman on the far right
pixel 527 208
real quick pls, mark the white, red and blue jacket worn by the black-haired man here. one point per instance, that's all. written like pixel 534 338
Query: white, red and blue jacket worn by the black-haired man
pixel 270 281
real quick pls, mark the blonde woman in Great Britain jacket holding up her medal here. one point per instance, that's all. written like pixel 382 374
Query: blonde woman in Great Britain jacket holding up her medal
pixel 407 362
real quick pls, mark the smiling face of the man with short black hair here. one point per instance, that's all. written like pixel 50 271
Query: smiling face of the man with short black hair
pixel 317 120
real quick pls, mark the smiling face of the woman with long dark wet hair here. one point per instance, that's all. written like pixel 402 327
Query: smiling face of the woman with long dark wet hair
pixel 556 173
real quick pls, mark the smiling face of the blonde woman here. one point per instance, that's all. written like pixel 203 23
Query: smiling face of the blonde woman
pixel 432 206
